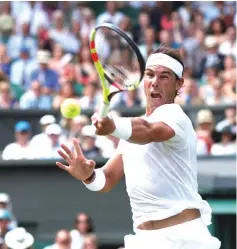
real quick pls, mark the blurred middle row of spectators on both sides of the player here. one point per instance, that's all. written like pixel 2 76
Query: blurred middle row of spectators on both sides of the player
pixel 213 138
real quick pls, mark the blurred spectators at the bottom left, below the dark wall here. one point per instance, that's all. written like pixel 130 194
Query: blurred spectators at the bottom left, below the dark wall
pixel 81 236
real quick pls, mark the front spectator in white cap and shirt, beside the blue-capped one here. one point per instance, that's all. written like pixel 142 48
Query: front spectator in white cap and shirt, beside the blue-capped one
pixel 49 150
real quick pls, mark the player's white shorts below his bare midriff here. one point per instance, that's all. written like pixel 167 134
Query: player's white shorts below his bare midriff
pixel 189 235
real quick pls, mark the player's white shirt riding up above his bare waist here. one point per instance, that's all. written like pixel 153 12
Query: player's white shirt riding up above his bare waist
pixel 161 177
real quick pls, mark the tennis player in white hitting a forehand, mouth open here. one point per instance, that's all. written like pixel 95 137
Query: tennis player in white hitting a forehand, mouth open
pixel 157 155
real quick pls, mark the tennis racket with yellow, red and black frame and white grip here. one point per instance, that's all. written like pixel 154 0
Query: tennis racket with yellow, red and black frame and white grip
pixel 117 60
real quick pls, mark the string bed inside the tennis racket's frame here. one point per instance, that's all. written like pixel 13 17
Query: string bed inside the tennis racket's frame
pixel 117 57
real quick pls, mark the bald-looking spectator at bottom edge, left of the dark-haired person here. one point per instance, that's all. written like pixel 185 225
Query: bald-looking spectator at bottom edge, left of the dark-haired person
pixel 63 240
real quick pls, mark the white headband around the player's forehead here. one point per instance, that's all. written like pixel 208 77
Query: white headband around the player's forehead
pixel 166 61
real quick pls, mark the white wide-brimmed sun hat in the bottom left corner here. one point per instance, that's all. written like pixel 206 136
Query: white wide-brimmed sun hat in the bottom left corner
pixel 19 238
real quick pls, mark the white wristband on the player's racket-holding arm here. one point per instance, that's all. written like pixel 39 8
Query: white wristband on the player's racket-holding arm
pixel 123 128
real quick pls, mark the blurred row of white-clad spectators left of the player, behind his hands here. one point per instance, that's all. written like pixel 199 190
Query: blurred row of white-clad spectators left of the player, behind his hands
pixel 46 144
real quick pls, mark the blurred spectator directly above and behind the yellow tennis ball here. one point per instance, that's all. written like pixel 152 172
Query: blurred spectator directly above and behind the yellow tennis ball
pixel 66 91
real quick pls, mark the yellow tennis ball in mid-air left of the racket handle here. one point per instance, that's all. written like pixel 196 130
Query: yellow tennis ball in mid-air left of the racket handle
pixel 70 108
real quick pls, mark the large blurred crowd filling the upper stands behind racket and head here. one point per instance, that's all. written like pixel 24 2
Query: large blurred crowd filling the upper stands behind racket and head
pixel 45 56
